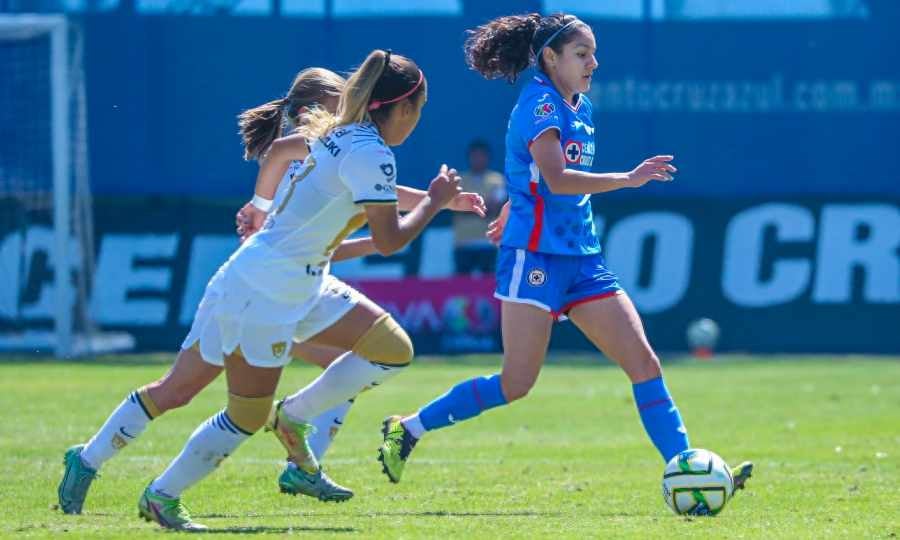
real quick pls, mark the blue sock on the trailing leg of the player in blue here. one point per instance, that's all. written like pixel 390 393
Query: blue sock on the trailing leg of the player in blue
pixel 465 400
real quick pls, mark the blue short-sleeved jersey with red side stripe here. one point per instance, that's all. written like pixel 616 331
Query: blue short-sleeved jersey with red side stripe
pixel 539 220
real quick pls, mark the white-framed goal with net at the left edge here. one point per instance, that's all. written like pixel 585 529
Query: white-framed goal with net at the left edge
pixel 46 236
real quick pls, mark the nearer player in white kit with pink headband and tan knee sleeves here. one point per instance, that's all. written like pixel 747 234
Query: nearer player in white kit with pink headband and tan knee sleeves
pixel 253 304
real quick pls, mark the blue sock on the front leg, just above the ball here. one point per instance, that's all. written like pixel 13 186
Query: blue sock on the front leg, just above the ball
pixel 660 417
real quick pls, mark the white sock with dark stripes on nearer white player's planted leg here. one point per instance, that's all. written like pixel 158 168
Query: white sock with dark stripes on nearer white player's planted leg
pixel 213 441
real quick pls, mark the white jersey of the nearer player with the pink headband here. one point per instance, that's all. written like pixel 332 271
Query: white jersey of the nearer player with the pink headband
pixel 323 204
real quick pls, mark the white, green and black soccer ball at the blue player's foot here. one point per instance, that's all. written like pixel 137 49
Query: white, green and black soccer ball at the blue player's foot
pixel 697 482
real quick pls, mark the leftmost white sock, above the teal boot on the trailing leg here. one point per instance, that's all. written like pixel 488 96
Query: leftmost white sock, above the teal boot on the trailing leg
pixel 124 425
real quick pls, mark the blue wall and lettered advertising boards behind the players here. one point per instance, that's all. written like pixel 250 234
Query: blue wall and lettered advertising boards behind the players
pixel 783 224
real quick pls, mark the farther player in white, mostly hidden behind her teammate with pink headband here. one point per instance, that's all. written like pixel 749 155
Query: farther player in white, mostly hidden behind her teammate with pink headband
pixel 281 159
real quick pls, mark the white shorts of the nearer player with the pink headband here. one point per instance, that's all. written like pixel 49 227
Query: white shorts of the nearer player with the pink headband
pixel 220 326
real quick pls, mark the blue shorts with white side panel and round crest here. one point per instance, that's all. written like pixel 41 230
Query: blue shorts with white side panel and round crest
pixel 555 283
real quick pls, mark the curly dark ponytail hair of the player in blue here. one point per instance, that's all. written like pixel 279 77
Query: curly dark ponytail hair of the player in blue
pixel 506 46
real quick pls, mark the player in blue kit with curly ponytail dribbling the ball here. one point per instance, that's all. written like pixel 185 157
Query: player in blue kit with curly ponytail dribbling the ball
pixel 550 264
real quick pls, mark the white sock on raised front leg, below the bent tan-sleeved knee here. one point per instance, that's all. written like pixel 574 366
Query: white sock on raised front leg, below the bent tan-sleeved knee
pixel 343 379
